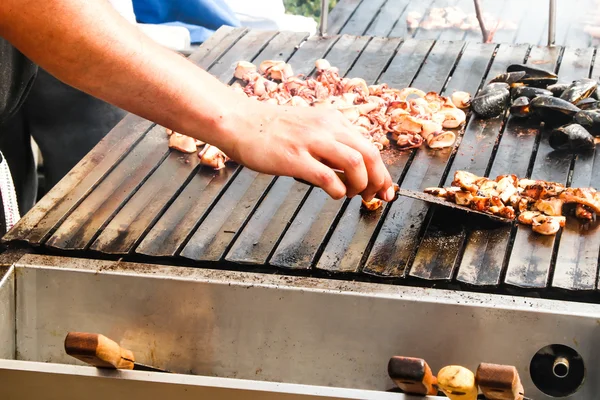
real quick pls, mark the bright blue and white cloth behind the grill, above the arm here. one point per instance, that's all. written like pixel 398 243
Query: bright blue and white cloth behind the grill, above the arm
pixel 201 17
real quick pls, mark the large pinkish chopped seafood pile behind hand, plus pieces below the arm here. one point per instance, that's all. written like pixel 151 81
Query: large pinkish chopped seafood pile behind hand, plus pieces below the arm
pixel 411 116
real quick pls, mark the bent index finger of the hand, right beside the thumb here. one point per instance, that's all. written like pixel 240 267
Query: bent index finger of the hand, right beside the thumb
pixel 340 156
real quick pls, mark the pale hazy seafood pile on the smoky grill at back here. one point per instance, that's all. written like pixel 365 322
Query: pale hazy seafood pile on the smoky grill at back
pixel 454 17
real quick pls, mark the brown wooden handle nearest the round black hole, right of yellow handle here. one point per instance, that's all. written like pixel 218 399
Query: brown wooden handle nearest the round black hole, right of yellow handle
pixel 499 382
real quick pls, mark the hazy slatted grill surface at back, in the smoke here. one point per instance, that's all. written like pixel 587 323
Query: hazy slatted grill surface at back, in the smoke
pixel 387 18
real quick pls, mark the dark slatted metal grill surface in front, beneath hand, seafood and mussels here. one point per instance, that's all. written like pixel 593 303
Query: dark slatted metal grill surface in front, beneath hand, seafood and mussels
pixel 133 198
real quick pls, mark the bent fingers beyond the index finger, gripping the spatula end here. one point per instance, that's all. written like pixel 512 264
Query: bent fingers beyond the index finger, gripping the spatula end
pixel 379 181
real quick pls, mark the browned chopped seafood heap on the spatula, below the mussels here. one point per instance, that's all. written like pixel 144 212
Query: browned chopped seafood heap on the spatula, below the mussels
pixel 532 202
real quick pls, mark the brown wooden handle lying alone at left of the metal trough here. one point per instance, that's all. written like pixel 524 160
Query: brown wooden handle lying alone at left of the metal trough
pixel 98 350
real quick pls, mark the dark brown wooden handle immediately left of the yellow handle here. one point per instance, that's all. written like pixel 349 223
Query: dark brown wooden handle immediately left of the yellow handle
pixel 412 375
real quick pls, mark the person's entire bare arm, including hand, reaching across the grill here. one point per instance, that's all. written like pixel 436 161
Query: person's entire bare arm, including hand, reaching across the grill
pixel 88 45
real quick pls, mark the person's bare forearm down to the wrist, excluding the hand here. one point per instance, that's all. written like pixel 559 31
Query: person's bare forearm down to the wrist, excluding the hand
pixel 89 46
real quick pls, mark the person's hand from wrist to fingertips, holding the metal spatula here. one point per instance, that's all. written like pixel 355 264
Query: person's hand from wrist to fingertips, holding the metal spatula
pixel 306 143
